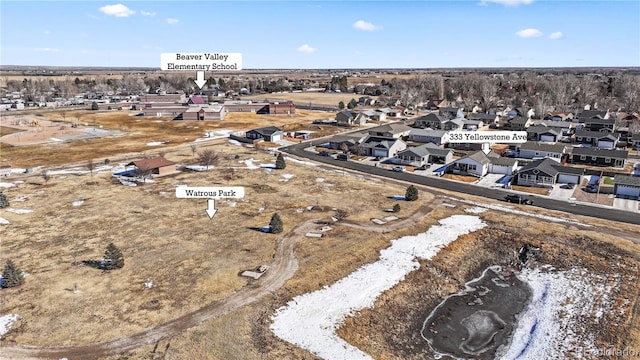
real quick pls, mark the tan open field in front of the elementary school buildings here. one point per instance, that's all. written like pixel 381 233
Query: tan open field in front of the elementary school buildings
pixel 137 132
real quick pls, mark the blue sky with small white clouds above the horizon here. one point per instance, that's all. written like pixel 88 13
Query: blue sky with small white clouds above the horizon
pixel 324 34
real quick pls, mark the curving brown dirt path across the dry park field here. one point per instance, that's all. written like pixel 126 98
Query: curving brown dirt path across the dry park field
pixel 283 267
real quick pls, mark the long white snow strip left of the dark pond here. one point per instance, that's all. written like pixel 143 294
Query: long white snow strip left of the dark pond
pixel 310 320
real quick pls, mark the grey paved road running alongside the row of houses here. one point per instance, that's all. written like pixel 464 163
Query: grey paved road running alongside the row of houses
pixel 439 183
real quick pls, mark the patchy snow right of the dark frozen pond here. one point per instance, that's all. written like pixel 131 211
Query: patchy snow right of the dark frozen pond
pixel 552 327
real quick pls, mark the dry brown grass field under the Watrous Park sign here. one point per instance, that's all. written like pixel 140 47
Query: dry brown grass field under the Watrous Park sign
pixel 191 259
